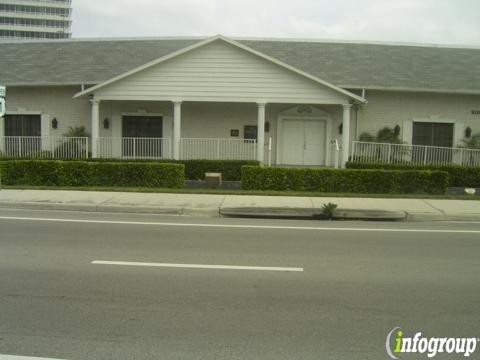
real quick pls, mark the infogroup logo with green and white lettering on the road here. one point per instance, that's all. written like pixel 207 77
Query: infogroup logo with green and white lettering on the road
pixel 397 344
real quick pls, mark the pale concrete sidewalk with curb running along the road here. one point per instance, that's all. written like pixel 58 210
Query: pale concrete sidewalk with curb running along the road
pixel 240 206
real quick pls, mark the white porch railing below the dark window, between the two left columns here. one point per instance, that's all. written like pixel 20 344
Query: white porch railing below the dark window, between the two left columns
pixel 134 148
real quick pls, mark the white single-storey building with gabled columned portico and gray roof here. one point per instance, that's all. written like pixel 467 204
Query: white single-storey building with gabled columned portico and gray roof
pixel 222 98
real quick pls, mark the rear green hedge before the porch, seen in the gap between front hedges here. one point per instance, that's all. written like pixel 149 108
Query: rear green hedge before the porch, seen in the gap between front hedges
pixel 194 169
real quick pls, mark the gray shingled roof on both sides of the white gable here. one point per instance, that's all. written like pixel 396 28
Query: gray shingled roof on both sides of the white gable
pixel 348 65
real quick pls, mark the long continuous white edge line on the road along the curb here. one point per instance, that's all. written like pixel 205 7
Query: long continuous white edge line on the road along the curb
pixel 231 226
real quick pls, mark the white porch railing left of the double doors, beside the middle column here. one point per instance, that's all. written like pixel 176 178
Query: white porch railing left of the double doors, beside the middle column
pixel 218 149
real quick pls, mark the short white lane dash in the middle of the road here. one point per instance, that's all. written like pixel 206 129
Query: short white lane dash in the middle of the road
pixel 197 266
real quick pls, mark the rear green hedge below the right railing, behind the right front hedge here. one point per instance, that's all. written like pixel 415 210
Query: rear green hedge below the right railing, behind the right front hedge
pixel 459 176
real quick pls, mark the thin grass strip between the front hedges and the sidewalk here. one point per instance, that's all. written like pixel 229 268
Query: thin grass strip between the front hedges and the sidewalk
pixel 248 192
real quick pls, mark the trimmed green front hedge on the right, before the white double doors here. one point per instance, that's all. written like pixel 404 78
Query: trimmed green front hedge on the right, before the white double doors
pixel 344 181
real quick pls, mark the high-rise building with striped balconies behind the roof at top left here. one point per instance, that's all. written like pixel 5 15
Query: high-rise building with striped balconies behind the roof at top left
pixel 35 19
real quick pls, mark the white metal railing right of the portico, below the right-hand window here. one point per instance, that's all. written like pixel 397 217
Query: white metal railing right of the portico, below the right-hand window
pixel 413 154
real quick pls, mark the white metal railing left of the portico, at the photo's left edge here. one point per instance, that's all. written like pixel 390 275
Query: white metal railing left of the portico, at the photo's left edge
pixel 34 147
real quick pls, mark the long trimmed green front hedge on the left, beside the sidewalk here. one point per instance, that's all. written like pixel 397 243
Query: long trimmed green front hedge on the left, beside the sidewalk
pixel 84 173
